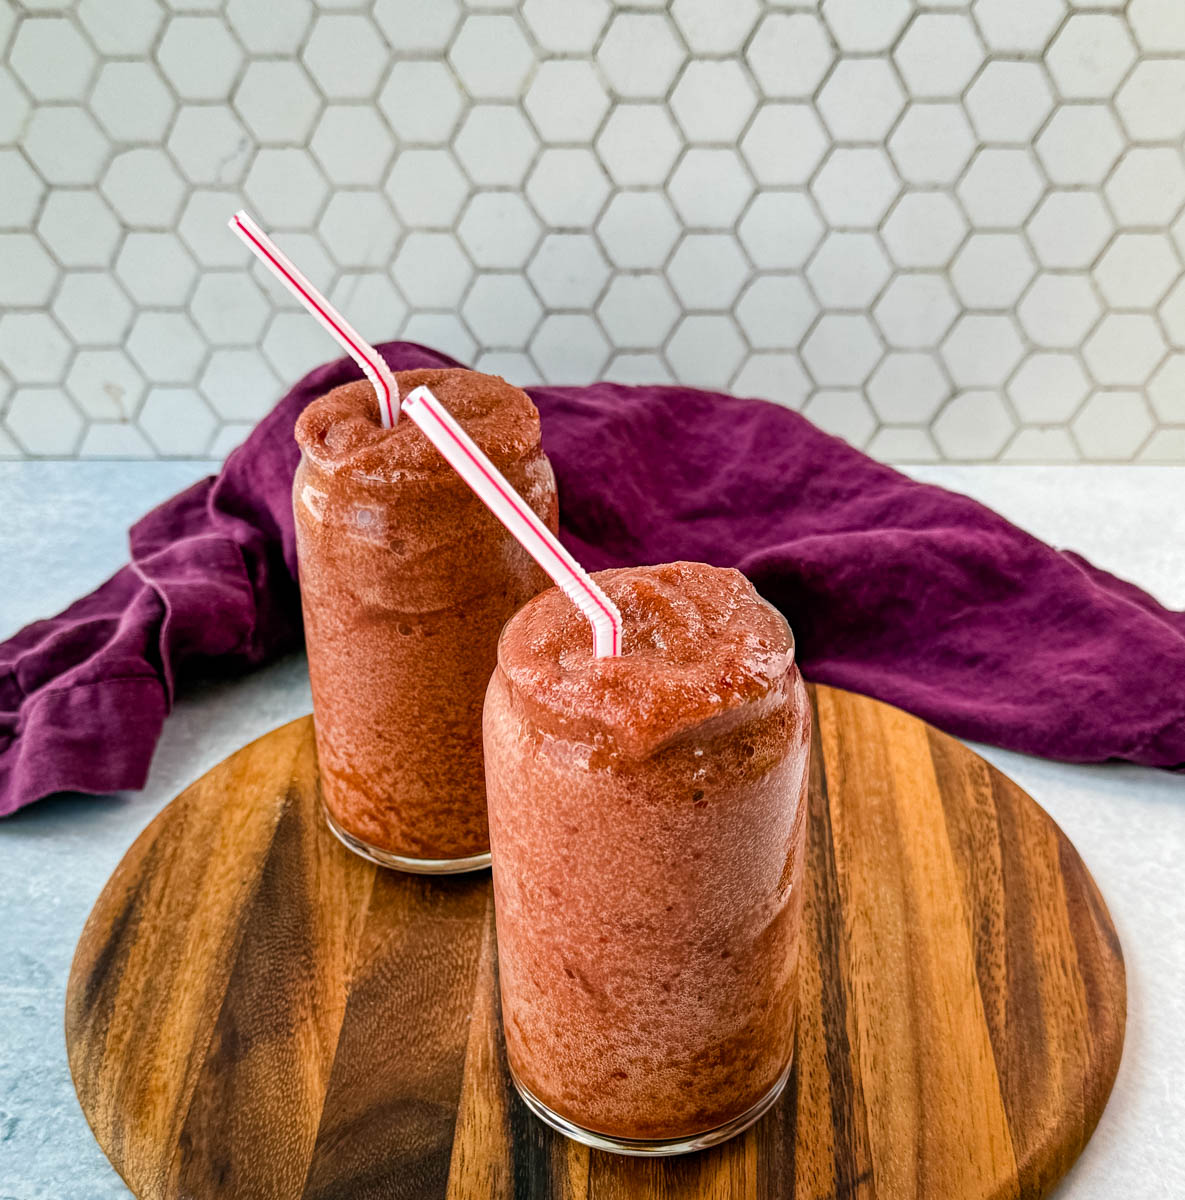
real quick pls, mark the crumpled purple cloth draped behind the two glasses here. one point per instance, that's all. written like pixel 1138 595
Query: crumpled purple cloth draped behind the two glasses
pixel 910 593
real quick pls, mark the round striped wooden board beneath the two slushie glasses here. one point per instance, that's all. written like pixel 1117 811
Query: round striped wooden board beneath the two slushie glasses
pixel 254 1012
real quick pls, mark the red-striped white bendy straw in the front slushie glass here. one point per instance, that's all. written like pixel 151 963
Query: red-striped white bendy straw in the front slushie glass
pixel 494 490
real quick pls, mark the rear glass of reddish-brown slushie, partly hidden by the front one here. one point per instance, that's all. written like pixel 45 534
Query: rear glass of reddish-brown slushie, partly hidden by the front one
pixel 406 581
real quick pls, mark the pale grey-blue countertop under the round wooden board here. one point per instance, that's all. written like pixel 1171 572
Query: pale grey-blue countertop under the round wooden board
pixel 64 531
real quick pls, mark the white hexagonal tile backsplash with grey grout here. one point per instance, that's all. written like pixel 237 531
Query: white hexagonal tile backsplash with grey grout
pixel 943 231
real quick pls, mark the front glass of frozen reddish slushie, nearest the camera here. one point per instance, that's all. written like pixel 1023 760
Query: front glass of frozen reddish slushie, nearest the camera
pixel 648 815
